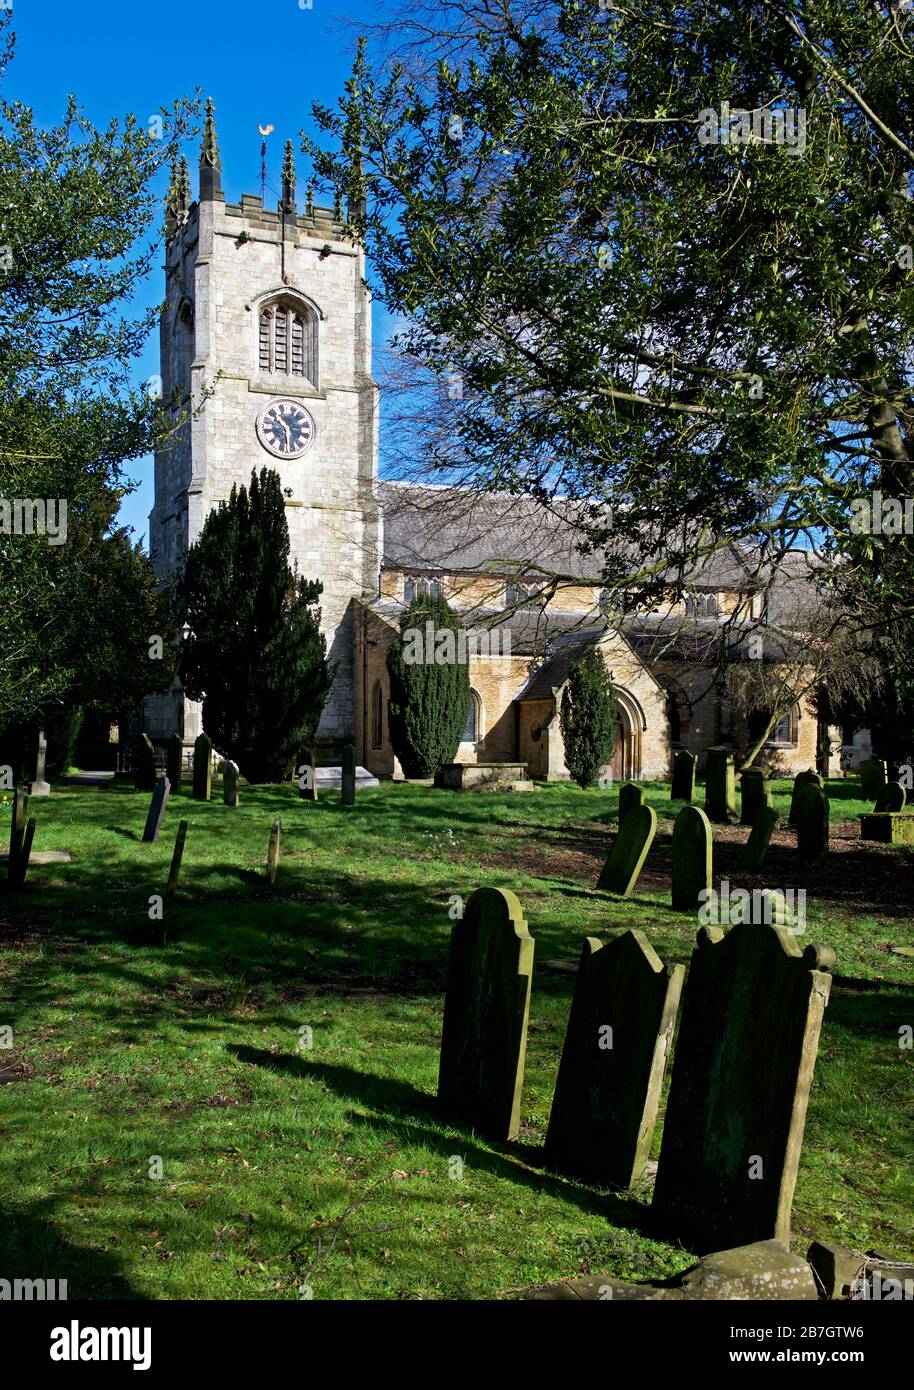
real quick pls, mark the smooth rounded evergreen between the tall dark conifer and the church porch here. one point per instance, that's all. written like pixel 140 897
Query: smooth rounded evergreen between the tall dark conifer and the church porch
pixel 430 687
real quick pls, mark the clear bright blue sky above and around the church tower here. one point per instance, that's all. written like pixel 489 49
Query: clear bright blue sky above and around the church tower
pixel 262 63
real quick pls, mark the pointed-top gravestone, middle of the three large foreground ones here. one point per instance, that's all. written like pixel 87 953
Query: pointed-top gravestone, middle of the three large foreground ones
pixel 619 1039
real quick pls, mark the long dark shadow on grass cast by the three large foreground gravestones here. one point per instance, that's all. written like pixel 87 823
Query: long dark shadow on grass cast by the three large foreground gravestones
pixel 409 1111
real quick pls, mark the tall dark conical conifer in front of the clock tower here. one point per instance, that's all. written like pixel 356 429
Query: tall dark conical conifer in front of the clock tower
pixel 256 655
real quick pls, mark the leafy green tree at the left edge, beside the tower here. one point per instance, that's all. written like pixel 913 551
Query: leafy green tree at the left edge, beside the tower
pixel 78 208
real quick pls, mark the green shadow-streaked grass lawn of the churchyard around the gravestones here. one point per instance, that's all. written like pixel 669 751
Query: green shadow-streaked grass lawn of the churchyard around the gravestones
pixel 288 1171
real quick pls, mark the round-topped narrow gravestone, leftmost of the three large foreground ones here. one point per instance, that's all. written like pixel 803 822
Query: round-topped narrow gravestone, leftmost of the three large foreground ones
pixel 487 1006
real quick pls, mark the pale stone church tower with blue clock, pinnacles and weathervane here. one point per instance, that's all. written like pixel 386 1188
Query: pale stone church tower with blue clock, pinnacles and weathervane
pixel 267 329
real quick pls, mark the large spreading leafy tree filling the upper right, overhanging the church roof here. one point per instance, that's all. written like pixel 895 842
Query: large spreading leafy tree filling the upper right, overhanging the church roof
pixel 667 259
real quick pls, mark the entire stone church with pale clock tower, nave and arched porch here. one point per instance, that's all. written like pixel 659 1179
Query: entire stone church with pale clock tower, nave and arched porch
pixel 267 330
